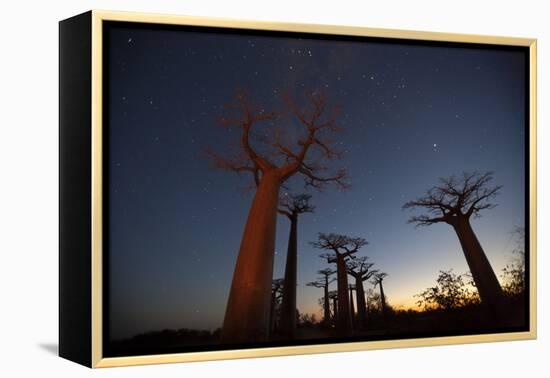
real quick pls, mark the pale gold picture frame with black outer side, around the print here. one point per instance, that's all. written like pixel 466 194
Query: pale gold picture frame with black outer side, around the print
pixel 95 20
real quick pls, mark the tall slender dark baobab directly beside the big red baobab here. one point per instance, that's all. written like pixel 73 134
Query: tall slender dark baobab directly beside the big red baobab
pixel 292 206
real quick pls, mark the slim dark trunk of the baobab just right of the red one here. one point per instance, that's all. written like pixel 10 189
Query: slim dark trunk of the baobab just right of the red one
pixel 288 308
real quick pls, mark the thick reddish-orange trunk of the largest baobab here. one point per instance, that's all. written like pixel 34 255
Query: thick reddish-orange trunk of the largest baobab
pixel 248 307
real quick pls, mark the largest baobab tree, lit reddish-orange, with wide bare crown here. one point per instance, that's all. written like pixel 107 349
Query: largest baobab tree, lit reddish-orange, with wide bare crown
pixel 271 156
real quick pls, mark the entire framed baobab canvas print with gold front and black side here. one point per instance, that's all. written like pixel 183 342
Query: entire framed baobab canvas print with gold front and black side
pixel 235 189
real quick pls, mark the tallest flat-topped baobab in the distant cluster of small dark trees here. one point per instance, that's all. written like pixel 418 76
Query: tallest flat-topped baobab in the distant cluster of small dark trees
pixel 341 248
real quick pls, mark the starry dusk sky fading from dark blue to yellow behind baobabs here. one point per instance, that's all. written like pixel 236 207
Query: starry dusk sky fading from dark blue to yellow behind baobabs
pixel 410 113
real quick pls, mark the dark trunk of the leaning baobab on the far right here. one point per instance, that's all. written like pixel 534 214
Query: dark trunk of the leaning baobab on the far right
pixel 484 277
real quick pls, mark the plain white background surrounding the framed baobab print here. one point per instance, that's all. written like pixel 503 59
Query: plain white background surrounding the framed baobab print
pixel 28 186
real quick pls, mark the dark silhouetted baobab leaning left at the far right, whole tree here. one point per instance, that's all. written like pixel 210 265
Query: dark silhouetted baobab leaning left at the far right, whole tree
pixel 455 201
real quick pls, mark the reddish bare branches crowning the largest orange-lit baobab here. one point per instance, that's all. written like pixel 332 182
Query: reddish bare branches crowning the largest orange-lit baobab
pixel 279 148
